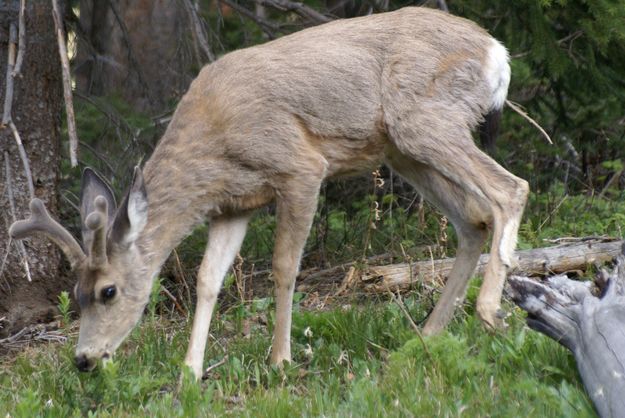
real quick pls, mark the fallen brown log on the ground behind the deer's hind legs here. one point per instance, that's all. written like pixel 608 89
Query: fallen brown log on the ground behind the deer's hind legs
pixel 536 262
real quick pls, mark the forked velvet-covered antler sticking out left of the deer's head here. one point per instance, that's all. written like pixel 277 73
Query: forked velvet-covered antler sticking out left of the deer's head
pixel 41 222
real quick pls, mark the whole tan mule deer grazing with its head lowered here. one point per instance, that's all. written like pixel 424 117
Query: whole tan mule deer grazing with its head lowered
pixel 272 122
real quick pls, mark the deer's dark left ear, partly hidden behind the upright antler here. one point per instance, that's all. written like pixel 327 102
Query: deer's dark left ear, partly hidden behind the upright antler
pixel 93 186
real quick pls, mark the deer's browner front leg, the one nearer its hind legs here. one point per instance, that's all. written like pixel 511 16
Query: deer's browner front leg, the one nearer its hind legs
pixel 295 213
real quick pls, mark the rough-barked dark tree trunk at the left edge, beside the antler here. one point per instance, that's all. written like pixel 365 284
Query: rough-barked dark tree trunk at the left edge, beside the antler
pixel 36 112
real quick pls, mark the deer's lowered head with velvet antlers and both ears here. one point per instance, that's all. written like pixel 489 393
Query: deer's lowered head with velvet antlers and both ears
pixel 111 290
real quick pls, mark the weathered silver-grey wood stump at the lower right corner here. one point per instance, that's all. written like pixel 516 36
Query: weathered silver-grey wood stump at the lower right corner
pixel 587 318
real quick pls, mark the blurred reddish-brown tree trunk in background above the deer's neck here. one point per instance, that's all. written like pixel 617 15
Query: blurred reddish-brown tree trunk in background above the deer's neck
pixel 136 49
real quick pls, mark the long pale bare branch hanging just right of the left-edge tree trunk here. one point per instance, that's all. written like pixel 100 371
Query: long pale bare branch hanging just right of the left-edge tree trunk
pixel 67 86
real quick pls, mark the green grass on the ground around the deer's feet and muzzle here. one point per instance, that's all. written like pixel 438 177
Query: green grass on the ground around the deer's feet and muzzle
pixel 361 360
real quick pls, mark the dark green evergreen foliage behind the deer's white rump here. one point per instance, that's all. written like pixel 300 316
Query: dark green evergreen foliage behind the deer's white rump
pixel 568 60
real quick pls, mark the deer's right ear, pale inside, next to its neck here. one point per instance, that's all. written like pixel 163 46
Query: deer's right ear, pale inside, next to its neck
pixel 132 215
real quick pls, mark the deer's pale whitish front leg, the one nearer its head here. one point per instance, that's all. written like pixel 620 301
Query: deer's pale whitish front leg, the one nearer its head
pixel 224 241
